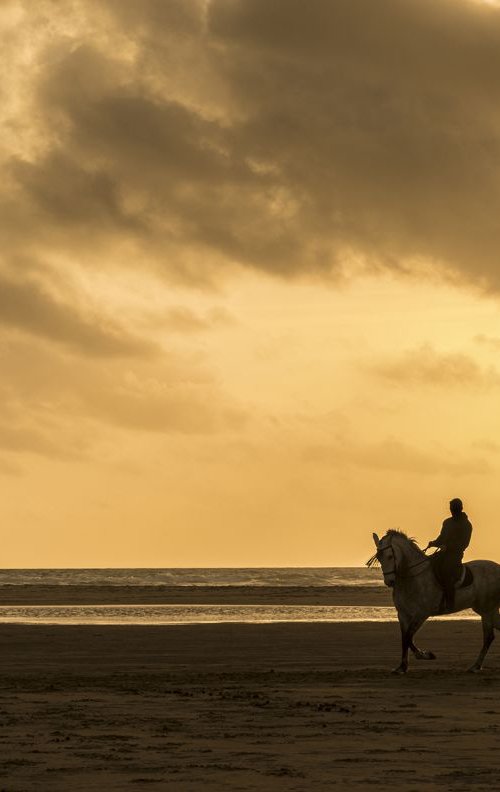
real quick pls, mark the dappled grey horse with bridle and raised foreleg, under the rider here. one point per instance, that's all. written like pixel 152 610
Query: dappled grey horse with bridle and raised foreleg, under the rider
pixel 418 595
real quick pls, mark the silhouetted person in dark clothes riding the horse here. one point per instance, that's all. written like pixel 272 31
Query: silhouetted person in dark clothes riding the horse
pixel 453 540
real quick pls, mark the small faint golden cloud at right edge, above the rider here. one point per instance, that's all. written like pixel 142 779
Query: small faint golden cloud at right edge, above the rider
pixel 425 366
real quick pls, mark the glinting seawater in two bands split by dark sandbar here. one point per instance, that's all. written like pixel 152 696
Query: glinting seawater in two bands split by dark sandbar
pixel 160 614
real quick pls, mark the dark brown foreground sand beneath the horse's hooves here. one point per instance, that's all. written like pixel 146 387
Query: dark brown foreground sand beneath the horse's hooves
pixel 244 707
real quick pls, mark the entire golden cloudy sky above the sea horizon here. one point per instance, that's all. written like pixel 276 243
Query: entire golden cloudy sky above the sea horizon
pixel 249 279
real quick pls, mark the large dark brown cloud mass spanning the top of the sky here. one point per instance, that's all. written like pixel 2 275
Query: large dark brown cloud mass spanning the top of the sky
pixel 299 141
